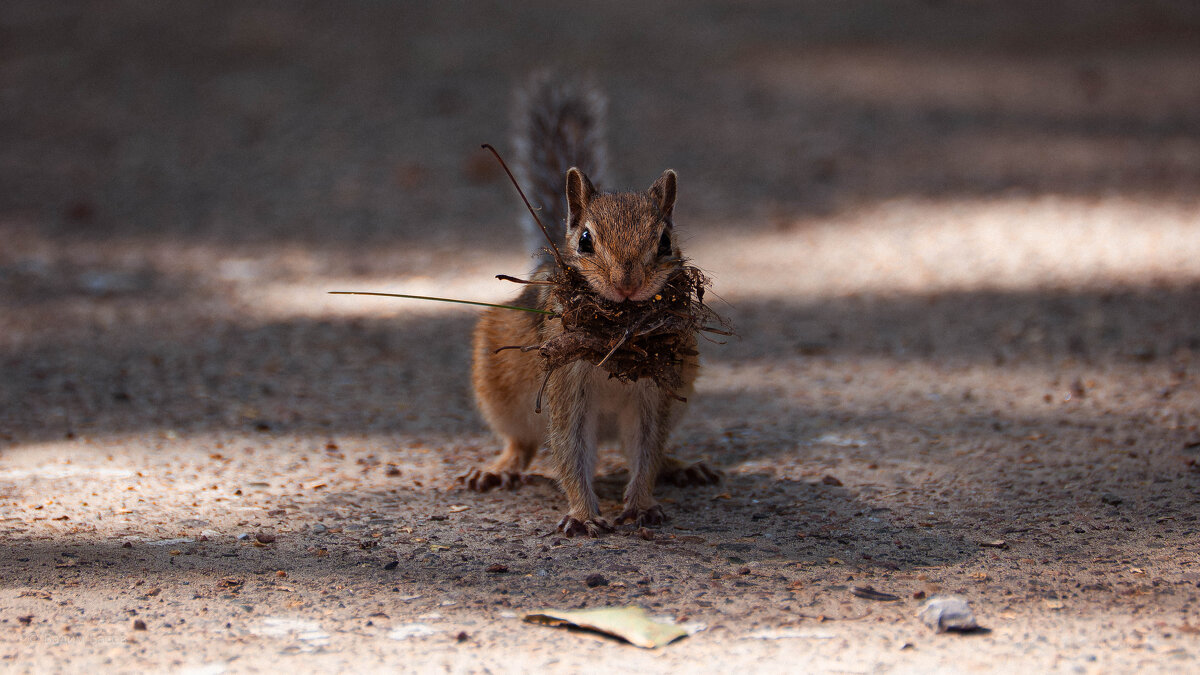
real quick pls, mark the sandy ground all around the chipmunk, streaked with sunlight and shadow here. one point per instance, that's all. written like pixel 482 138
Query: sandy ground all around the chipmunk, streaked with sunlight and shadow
pixel 961 244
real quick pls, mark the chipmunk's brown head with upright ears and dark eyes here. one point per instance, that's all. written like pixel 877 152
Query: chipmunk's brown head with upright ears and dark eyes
pixel 625 243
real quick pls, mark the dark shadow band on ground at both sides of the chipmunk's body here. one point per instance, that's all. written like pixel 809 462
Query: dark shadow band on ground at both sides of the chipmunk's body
pixel 411 374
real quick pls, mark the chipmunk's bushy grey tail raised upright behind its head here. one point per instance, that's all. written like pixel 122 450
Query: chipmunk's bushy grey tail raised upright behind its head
pixel 556 126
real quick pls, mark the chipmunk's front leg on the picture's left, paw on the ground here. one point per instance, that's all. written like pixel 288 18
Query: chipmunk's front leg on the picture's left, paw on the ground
pixel 573 444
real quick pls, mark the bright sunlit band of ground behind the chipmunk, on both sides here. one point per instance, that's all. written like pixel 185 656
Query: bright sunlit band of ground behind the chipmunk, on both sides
pixel 897 247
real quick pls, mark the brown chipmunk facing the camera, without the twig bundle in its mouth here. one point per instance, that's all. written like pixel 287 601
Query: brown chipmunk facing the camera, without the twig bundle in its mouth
pixel 626 247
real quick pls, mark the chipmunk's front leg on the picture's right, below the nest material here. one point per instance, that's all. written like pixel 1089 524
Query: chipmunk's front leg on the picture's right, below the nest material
pixel 644 434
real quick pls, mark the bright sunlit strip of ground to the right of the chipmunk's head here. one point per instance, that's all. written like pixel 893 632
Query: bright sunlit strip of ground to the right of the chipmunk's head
pixel 929 247
